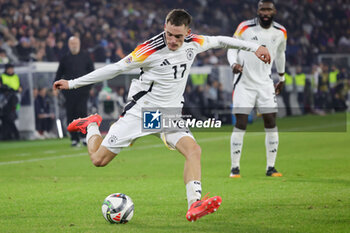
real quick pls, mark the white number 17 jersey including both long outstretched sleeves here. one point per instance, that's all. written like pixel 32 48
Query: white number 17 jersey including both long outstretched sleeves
pixel 163 72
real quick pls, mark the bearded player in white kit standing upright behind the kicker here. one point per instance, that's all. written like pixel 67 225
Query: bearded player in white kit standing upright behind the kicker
pixel 253 86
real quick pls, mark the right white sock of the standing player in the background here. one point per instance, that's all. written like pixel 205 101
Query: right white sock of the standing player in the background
pixel 271 144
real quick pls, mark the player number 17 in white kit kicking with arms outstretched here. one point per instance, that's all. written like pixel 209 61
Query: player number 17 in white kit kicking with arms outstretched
pixel 164 62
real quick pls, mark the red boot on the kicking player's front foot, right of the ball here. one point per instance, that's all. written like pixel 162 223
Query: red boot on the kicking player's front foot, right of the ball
pixel 203 207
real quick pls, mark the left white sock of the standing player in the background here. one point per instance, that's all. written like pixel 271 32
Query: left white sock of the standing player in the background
pixel 236 146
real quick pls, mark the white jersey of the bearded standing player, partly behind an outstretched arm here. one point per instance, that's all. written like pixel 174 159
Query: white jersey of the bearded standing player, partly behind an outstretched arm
pixel 255 72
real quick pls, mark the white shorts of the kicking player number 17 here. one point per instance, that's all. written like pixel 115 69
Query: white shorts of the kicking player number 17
pixel 128 128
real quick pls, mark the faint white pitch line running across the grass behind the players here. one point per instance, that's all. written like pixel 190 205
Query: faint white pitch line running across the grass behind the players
pixel 154 145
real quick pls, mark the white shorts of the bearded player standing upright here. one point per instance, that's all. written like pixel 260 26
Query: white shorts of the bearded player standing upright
pixel 246 98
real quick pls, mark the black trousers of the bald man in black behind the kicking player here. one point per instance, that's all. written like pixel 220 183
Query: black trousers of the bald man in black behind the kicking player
pixel 76 108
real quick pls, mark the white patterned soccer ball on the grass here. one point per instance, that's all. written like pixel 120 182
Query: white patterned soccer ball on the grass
pixel 118 208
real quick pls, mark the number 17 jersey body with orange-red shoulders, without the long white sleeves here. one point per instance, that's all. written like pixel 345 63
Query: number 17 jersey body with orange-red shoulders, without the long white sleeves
pixel 166 69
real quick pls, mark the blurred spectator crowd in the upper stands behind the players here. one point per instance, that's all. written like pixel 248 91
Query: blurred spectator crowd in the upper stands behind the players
pixel 109 30
